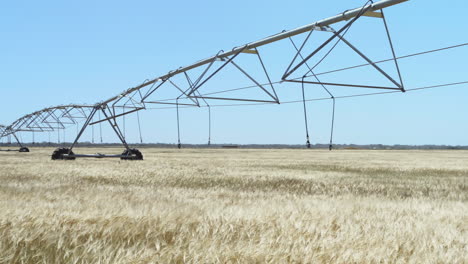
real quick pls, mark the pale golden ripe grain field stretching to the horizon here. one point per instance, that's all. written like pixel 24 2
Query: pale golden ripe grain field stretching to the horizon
pixel 235 206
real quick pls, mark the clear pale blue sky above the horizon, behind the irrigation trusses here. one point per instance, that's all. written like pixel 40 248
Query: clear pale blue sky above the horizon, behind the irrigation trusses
pixel 59 52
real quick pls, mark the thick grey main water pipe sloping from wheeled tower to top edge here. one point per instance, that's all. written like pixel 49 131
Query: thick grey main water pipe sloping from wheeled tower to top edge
pixel 346 15
